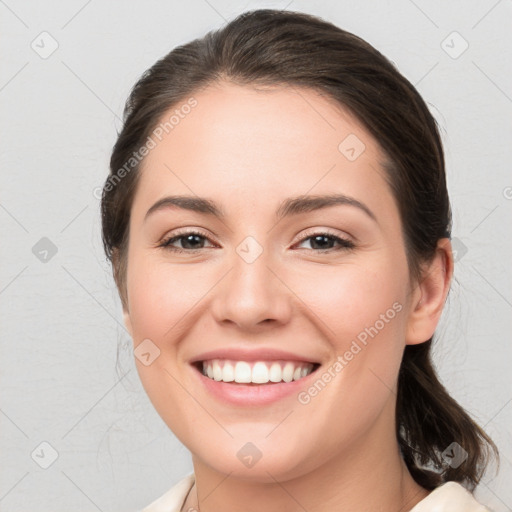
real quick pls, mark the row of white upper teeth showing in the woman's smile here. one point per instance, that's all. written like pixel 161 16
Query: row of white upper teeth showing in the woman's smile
pixel 258 372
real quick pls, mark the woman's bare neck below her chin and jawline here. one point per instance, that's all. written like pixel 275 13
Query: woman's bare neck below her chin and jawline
pixel 370 475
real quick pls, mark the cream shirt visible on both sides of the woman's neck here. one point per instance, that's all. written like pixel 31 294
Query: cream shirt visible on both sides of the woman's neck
pixel 449 497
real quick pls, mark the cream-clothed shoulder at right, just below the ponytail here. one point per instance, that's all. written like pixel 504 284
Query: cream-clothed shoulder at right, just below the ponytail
pixel 449 497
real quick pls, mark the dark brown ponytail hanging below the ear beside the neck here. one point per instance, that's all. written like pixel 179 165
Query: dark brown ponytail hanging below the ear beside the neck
pixel 429 421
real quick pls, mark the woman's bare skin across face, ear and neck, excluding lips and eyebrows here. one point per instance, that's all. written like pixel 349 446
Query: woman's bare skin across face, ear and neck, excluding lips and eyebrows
pixel 248 150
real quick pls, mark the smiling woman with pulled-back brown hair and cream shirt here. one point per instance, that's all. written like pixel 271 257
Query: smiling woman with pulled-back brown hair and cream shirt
pixel 279 228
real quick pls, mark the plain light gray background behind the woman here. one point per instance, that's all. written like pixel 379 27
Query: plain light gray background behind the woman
pixel 60 315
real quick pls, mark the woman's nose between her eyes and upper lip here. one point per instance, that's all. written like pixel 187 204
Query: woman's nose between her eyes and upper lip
pixel 252 295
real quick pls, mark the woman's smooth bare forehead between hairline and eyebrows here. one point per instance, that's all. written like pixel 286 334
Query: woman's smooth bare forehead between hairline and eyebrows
pixel 255 146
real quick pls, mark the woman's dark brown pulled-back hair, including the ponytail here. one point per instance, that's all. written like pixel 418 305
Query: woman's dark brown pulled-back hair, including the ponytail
pixel 270 47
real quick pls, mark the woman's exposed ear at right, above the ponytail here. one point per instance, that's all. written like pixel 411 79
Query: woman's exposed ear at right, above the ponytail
pixel 429 296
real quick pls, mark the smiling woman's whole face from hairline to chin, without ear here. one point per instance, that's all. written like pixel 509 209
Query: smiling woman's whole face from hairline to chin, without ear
pixel 272 280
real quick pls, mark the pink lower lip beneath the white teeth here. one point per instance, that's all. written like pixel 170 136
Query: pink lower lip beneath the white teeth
pixel 253 394
